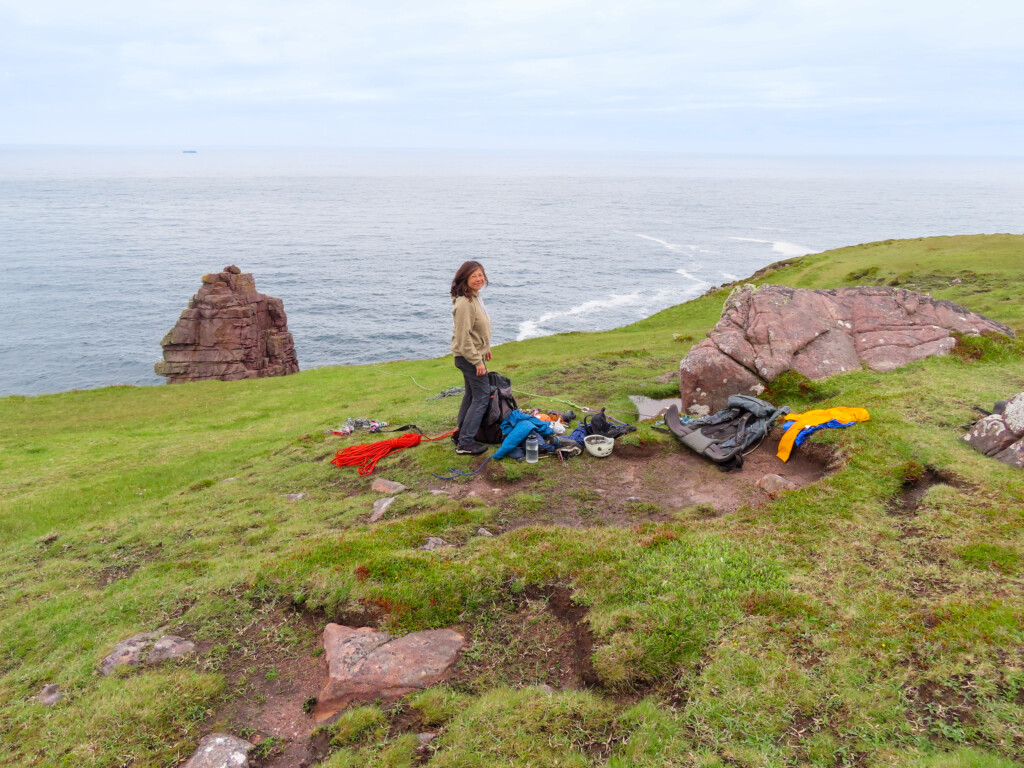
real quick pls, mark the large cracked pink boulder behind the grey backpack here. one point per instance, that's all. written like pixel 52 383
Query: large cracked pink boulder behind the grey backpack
pixel 771 329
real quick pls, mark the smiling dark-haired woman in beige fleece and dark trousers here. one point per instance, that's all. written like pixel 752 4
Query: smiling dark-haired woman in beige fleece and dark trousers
pixel 472 347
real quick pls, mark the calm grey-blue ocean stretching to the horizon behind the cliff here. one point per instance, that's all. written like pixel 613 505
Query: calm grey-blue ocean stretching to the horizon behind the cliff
pixel 102 249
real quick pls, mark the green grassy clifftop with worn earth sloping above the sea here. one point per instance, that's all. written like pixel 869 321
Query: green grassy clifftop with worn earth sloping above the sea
pixel 875 617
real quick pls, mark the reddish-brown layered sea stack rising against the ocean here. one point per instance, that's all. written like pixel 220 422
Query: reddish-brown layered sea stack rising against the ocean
pixel 229 332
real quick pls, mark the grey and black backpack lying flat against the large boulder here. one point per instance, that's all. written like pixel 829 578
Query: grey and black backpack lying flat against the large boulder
pixel 724 438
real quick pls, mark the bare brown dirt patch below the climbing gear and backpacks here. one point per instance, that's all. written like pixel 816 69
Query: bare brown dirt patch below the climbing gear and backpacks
pixel 637 484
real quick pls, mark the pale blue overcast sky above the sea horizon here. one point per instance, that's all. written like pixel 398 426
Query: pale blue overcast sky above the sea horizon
pixel 741 76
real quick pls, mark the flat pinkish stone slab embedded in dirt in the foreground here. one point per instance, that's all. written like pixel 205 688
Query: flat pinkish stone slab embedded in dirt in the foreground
pixel 365 665
